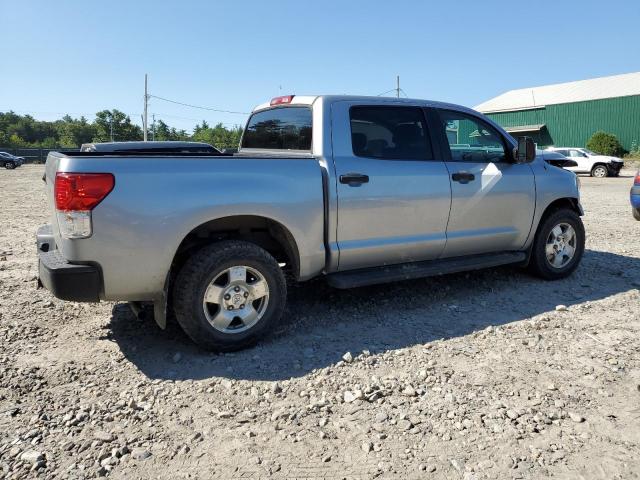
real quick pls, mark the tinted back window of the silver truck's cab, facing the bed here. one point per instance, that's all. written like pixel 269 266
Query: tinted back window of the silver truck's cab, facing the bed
pixel 284 128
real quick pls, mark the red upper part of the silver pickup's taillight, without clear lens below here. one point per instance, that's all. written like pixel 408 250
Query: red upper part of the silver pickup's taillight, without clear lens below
pixel 81 191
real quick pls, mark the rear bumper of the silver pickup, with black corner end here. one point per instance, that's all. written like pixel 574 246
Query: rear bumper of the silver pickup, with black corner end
pixel 66 281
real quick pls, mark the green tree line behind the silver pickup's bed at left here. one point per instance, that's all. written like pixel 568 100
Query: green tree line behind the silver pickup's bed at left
pixel 18 131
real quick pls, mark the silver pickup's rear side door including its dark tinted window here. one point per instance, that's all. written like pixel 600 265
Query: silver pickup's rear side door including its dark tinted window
pixel 393 195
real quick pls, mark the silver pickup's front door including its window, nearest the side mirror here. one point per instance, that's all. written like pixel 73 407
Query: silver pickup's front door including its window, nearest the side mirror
pixel 493 199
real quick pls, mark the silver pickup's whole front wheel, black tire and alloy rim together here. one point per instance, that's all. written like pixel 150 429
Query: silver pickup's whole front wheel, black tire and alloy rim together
pixel 558 246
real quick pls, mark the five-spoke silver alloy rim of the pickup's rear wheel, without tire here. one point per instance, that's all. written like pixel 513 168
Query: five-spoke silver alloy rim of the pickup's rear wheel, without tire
pixel 236 299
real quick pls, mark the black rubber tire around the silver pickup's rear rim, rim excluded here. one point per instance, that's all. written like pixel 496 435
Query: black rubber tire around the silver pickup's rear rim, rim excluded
pixel 200 270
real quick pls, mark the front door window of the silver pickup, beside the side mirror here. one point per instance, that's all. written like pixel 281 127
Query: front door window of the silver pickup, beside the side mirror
pixel 470 139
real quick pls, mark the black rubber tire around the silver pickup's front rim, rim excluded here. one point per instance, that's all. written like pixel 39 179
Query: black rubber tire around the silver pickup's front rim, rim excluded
pixel 538 263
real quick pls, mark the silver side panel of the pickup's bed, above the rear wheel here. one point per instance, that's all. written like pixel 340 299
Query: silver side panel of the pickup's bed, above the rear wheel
pixel 158 199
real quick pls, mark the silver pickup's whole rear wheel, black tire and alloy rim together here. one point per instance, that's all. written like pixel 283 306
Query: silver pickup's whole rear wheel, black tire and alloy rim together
pixel 229 295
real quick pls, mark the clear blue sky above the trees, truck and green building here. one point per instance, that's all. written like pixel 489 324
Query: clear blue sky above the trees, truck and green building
pixel 83 56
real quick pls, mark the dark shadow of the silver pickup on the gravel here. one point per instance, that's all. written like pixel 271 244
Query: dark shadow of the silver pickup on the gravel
pixel 321 323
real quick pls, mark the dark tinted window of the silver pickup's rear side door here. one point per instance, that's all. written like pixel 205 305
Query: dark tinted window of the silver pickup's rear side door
pixel 390 133
